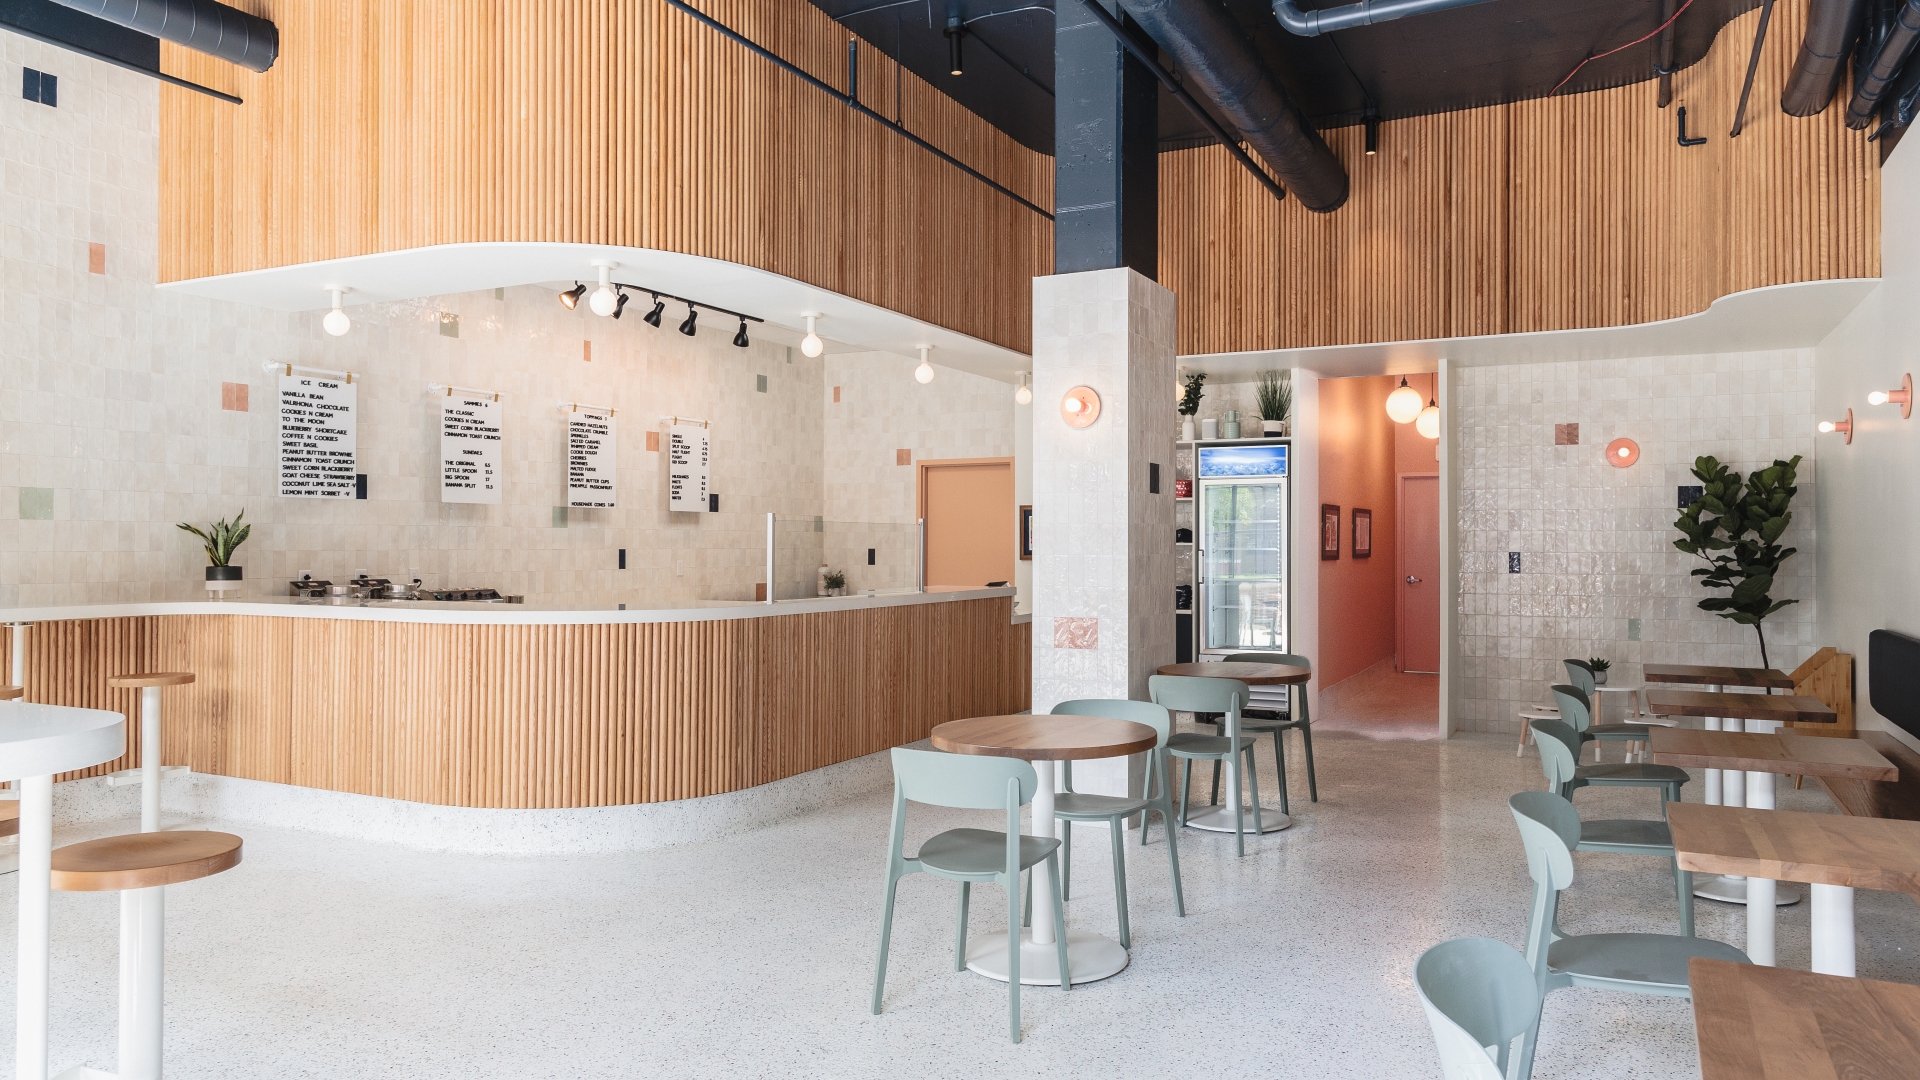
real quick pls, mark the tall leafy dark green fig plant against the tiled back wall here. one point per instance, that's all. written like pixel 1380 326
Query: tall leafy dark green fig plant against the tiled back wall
pixel 1735 528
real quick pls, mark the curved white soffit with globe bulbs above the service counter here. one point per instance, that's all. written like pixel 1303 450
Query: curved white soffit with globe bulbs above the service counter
pixel 473 268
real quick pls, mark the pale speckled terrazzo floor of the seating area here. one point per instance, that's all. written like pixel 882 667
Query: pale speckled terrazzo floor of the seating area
pixel 754 956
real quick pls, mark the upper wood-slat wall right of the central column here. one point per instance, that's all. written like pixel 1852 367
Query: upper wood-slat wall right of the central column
pixel 1539 216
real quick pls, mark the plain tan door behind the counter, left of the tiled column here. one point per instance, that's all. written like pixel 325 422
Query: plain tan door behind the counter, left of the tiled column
pixel 969 508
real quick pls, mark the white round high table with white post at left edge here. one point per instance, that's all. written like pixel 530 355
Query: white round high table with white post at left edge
pixel 36 745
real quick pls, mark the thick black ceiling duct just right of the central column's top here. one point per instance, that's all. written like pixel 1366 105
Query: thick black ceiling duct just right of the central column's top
pixel 1216 57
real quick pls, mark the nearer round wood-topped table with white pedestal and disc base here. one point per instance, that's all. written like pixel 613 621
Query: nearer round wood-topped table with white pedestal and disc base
pixel 1045 741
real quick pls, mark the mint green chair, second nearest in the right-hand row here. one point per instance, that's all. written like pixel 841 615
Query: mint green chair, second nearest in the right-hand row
pixel 1637 964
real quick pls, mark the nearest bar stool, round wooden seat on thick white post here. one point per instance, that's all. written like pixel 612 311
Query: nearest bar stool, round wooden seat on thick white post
pixel 139 866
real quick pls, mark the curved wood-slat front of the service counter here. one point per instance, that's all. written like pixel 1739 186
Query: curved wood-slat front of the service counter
pixel 540 716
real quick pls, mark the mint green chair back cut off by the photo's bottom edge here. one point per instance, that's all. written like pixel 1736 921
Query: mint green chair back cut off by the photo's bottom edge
pixel 1479 994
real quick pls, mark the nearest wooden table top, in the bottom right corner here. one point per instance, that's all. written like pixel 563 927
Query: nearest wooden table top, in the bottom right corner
pixel 1775 1023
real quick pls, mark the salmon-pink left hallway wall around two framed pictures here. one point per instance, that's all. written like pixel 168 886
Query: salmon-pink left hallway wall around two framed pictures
pixel 1358 462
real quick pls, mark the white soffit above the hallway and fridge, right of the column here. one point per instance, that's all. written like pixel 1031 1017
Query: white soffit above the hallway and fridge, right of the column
pixel 1775 318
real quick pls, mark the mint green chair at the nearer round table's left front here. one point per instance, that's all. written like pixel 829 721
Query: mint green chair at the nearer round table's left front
pixel 971 856
